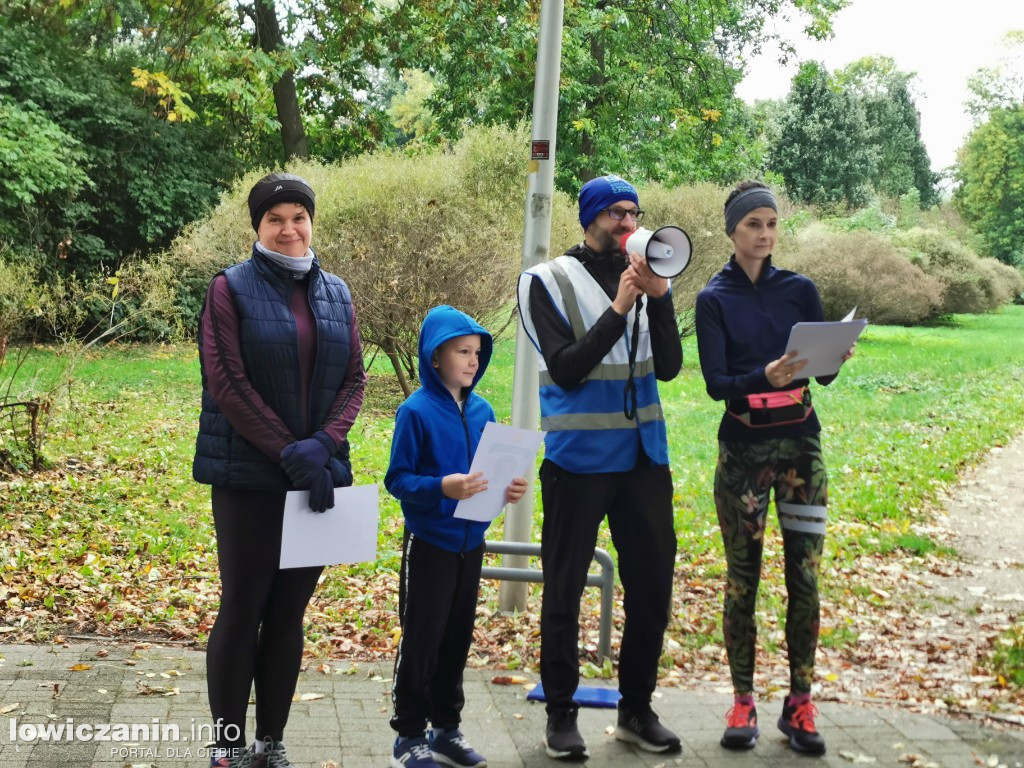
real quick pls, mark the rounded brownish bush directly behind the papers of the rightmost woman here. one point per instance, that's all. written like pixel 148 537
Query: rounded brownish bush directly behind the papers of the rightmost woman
pixel 866 271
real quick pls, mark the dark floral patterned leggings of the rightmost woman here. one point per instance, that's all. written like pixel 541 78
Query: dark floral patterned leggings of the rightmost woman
pixel 746 476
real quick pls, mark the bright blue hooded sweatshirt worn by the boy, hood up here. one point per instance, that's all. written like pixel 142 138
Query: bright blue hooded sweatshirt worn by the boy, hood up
pixel 435 439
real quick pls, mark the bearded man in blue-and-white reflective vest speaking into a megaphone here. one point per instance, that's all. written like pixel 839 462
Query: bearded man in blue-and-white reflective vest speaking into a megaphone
pixel 605 326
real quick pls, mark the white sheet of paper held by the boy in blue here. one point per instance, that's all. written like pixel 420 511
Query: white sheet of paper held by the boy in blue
pixel 504 453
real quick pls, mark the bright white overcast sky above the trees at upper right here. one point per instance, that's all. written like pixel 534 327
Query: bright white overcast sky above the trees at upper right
pixel 944 44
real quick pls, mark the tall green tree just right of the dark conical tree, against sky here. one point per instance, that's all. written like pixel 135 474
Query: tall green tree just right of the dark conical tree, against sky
pixel 893 129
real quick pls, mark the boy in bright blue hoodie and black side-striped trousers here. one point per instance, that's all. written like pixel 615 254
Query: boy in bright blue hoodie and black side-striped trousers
pixel 437 433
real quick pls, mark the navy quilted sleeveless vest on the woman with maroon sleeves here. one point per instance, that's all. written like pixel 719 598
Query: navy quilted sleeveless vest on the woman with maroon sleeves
pixel 262 292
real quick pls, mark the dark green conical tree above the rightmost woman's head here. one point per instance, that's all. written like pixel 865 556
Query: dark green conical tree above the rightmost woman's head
pixel 824 150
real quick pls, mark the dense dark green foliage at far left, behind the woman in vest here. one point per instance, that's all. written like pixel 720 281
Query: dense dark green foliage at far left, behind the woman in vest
pixel 98 176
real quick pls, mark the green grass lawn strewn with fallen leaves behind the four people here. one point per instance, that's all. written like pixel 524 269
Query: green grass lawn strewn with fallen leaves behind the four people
pixel 115 538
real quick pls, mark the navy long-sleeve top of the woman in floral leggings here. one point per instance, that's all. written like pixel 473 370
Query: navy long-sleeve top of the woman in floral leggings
pixel 742 327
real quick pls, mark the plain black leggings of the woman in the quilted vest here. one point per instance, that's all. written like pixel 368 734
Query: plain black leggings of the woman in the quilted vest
pixel 259 633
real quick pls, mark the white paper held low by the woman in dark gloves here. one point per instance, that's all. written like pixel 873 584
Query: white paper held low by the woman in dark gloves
pixel 348 533
